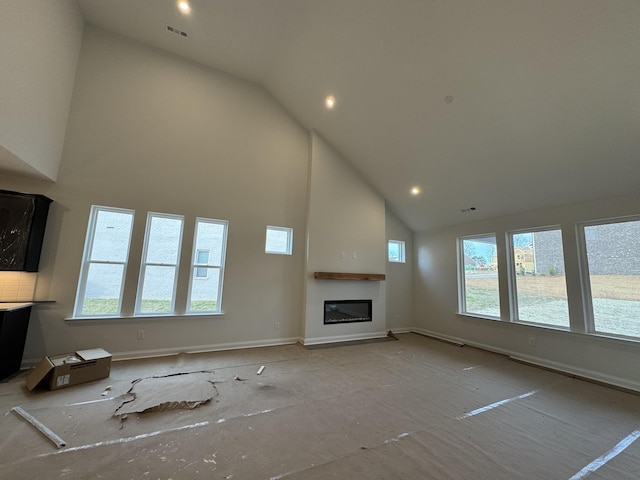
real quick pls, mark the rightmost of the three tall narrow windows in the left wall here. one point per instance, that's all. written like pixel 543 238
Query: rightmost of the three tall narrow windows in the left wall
pixel 205 294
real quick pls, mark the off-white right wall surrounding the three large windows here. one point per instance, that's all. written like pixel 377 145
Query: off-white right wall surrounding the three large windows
pixel 610 360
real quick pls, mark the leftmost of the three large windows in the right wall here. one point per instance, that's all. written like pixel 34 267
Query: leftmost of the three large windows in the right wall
pixel 478 267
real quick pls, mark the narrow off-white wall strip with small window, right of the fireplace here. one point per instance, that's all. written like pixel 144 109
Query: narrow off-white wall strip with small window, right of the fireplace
pixel 399 282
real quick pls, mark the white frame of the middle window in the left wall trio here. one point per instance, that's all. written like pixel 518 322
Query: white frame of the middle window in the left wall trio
pixel 144 264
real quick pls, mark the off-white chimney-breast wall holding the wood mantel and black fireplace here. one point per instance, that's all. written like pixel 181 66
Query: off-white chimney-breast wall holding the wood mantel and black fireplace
pixel 346 218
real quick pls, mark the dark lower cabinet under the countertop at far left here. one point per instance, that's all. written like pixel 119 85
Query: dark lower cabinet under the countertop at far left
pixel 13 333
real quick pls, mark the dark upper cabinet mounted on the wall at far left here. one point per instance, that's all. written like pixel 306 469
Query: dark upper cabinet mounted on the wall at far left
pixel 23 218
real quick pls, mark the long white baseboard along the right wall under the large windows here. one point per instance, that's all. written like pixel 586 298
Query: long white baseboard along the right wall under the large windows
pixel 541 362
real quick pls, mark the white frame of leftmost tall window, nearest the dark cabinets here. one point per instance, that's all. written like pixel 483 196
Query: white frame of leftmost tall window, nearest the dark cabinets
pixel 86 262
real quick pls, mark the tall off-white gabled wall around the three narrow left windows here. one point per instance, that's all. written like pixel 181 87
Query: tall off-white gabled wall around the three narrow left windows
pixel 152 132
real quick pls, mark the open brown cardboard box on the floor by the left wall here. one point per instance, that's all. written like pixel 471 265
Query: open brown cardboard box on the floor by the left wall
pixel 70 369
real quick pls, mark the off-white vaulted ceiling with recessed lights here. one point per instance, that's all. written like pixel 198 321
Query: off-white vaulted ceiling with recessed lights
pixel 546 93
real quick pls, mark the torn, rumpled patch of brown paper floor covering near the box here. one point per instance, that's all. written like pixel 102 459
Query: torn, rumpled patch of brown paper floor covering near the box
pixel 169 392
